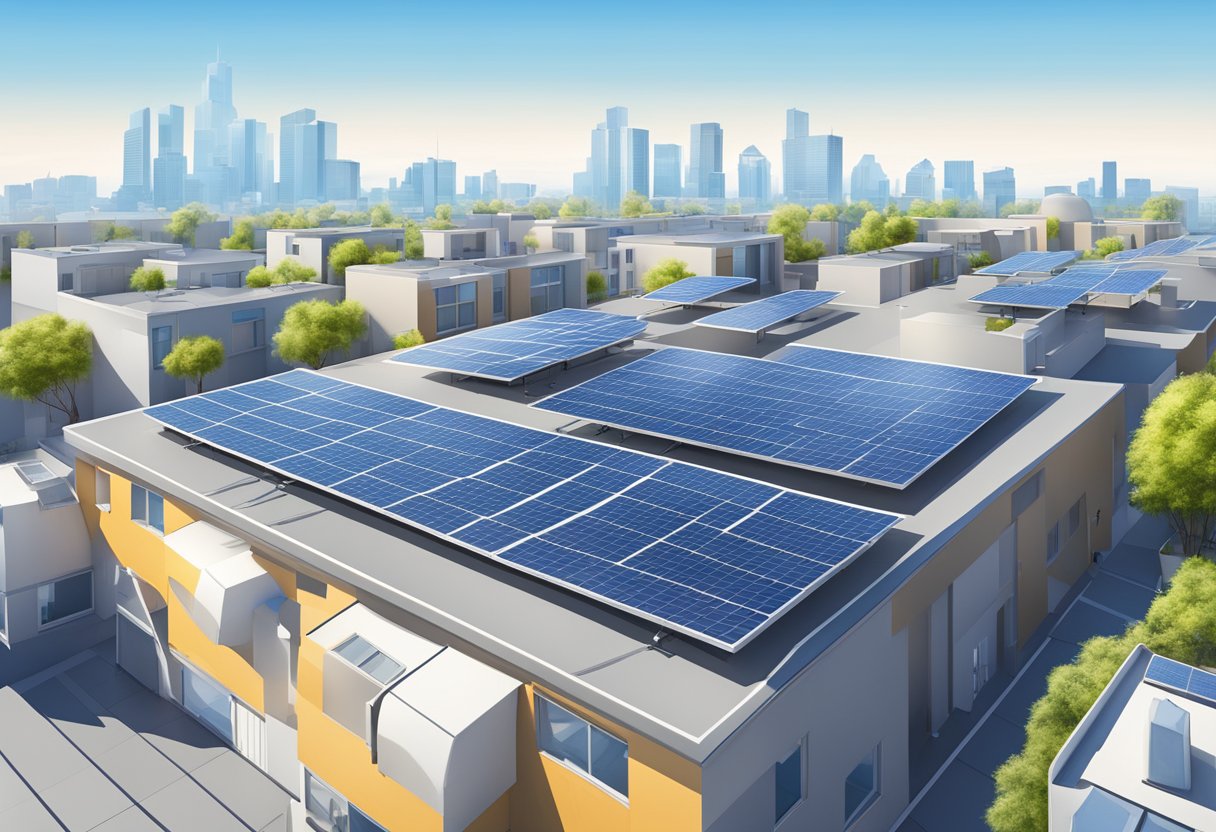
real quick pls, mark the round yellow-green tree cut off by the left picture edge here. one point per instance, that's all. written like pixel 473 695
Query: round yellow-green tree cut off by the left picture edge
pixel 43 358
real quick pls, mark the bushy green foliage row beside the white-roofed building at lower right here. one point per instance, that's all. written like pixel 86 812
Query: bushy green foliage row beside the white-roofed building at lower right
pixel 1181 625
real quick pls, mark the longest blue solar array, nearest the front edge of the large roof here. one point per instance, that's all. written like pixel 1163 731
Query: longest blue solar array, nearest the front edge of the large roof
pixel 714 556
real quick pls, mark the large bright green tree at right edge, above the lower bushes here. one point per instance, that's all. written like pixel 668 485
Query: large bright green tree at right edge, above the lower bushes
pixel 1173 460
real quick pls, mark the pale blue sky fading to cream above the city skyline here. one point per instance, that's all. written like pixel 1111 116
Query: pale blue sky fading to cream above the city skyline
pixel 1049 88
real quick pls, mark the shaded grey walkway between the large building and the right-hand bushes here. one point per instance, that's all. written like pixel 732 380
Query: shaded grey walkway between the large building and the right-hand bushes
pixel 1121 592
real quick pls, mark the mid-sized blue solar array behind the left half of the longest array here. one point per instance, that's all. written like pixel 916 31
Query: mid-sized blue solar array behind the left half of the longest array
pixel 510 352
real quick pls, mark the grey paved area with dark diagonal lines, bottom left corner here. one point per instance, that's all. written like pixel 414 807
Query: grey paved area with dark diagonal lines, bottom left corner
pixel 87 747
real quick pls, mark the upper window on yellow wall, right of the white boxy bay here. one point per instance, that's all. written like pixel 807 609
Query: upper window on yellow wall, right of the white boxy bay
pixel 581 745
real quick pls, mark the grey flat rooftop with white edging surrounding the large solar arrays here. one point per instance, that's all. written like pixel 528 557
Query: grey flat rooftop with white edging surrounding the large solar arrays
pixel 604 657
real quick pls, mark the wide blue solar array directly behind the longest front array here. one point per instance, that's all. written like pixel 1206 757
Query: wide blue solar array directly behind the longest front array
pixel 874 419
